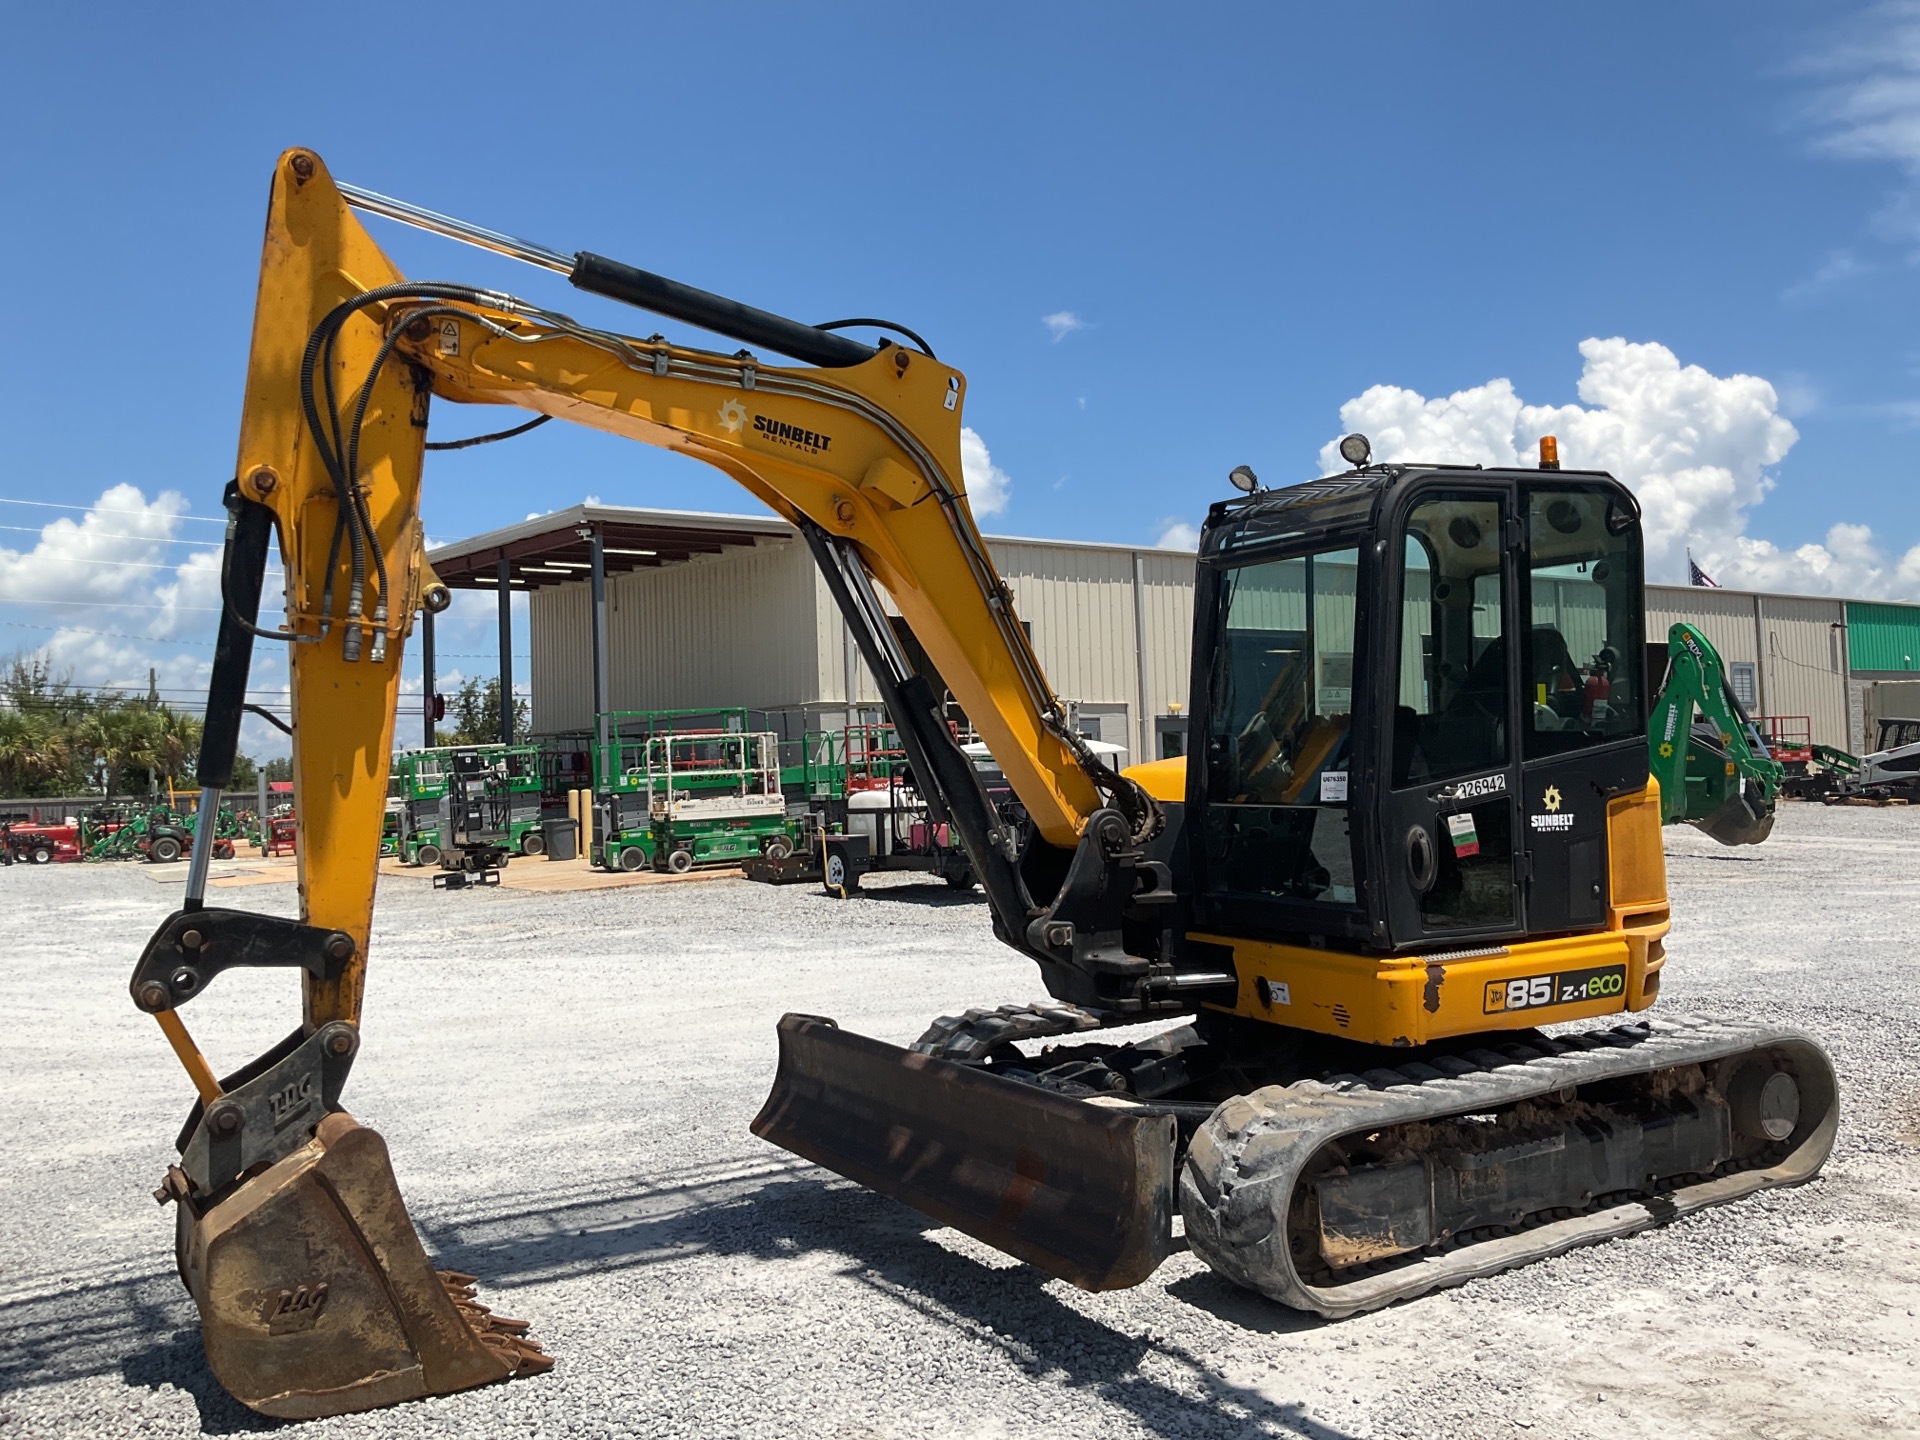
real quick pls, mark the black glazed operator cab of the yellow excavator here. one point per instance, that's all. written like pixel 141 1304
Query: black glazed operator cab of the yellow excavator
pixel 1395 738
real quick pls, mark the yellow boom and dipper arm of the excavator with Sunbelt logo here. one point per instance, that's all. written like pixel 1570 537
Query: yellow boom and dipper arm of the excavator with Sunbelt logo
pixel 869 454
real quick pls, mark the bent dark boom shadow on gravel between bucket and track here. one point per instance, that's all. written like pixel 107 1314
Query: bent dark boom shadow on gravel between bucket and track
pixel 779 1218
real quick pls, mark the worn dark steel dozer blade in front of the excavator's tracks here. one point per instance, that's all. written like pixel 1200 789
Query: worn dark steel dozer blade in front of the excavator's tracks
pixel 1078 1189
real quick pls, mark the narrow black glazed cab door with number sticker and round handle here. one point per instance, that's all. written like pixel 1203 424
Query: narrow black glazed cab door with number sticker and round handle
pixel 1451 819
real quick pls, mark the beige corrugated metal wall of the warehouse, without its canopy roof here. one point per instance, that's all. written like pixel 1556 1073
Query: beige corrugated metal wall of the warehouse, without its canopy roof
pixel 759 629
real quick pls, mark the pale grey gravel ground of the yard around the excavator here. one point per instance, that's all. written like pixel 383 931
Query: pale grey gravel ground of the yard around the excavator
pixel 567 1080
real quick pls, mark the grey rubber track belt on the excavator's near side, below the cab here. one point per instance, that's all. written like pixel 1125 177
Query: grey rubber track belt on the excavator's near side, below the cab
pixel 1245 1163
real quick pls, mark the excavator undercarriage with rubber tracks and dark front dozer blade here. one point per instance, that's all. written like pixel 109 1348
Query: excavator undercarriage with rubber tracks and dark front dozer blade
pixel 1307 1168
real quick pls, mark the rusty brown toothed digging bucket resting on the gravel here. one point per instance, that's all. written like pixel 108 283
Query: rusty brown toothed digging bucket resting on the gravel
pixel 316 1297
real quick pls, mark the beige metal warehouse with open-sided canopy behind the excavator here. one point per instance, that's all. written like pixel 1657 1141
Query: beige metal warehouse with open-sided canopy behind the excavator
pixel 708 612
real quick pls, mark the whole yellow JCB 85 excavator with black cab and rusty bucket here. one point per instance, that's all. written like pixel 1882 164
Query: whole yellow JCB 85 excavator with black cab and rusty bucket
pixel 1297 982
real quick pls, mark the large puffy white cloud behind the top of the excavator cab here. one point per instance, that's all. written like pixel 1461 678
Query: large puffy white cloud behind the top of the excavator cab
pixel 1696 448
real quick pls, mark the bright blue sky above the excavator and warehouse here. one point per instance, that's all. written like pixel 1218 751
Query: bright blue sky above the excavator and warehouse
pixel 1255 216
